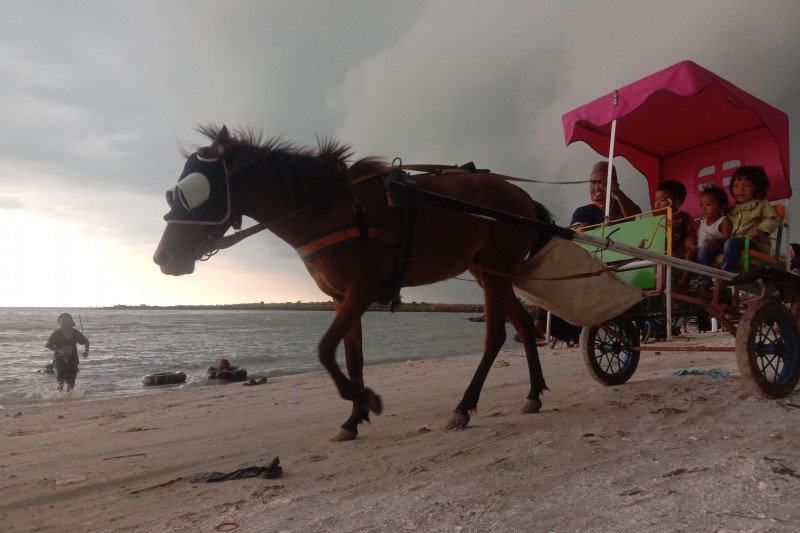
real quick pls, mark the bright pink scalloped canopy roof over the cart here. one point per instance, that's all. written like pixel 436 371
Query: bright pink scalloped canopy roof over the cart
pixel 688 124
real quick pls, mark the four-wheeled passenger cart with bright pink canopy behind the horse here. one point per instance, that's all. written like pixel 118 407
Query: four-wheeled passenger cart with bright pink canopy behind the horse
pixel 687 124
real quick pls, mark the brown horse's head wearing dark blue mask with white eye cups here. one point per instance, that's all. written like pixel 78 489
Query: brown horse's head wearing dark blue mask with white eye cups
pixel 200 209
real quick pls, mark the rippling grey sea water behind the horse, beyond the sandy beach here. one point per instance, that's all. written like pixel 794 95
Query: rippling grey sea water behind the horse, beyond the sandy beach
pixel 127 344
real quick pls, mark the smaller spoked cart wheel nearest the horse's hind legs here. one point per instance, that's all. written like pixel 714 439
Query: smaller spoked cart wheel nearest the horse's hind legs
pixel 607 351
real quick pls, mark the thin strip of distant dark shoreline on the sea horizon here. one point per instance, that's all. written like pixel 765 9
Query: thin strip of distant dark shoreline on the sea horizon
pixel 405 307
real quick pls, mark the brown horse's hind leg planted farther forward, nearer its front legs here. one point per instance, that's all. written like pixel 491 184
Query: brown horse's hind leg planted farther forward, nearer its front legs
pixel 494 313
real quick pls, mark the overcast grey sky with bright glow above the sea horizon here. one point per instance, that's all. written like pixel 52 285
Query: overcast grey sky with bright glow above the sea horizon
pixel 97 97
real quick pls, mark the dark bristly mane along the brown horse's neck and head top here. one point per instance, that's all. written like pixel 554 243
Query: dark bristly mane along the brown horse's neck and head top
pixel 302 173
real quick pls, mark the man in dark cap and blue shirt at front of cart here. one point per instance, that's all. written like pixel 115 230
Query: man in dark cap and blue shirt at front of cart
pixel 594 213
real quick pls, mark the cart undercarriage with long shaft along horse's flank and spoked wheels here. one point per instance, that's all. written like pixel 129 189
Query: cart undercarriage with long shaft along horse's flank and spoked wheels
pixel 767 335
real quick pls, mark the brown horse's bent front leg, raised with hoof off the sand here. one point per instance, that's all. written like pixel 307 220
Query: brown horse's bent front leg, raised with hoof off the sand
pixel 348 312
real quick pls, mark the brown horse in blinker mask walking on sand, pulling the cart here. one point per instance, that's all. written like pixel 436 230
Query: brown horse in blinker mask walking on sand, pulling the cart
pixel 358 248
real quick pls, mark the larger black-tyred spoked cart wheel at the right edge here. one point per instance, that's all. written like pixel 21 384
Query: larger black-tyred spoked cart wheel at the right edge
pixel 767 348
